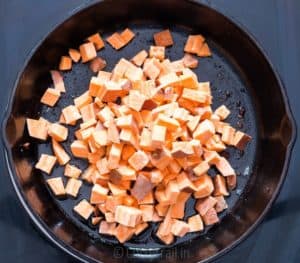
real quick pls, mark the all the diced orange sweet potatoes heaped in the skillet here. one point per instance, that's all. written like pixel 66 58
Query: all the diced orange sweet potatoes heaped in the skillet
pixel 150 136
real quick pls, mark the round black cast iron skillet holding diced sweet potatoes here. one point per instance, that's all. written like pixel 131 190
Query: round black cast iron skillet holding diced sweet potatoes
pixel 241 77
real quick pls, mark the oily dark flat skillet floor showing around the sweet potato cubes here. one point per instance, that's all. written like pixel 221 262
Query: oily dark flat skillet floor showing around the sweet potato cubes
pixel 228 87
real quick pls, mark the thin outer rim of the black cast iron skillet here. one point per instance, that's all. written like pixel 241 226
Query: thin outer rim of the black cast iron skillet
pixel 80 255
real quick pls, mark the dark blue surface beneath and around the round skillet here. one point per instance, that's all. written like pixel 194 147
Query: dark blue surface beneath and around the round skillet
pixel 274 23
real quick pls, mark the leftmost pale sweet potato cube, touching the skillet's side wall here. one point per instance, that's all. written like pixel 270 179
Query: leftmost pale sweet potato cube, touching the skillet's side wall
pixel 37 128
